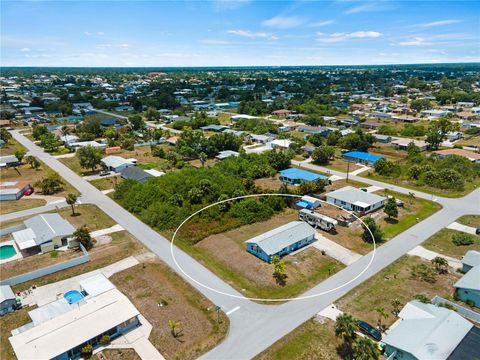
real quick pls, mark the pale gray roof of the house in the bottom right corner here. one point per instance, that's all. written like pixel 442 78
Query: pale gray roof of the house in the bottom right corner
pixel 427 331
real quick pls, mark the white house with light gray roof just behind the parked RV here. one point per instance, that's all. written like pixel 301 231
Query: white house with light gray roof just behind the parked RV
pixel 354 199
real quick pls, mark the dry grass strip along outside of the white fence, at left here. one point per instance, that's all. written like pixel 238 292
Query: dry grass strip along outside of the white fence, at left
pixel 123 245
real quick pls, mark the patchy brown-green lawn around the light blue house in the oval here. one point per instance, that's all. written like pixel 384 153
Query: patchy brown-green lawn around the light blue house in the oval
pixel 252 276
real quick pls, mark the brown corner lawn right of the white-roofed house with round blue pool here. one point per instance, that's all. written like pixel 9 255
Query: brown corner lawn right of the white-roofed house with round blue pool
pixel 199 330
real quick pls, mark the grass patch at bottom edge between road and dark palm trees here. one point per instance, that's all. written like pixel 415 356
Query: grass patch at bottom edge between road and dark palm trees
pixel 308 341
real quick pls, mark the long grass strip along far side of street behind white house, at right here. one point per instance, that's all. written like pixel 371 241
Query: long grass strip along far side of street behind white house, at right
pixel 469 185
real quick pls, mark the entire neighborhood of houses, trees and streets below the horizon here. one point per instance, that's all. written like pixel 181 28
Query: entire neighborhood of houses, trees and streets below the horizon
pixel 167 214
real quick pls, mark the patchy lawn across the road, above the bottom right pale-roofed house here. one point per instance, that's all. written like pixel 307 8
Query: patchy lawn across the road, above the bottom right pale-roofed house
pixel 394 282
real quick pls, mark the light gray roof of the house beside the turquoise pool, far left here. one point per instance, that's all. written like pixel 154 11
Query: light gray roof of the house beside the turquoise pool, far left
pixel 49 226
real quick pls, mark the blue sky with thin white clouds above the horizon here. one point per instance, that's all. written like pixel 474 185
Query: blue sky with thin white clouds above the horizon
pixel 231 33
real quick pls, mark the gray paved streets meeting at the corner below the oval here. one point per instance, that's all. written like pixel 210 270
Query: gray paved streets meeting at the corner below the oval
pixel 254 327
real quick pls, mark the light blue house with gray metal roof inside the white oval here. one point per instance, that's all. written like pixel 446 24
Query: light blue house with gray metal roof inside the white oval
pixel 281 241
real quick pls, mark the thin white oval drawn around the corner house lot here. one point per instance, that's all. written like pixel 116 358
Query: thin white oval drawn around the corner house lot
pixel 262 299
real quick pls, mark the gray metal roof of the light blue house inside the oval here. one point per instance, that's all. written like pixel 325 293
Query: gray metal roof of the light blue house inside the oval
pixel 277 239
